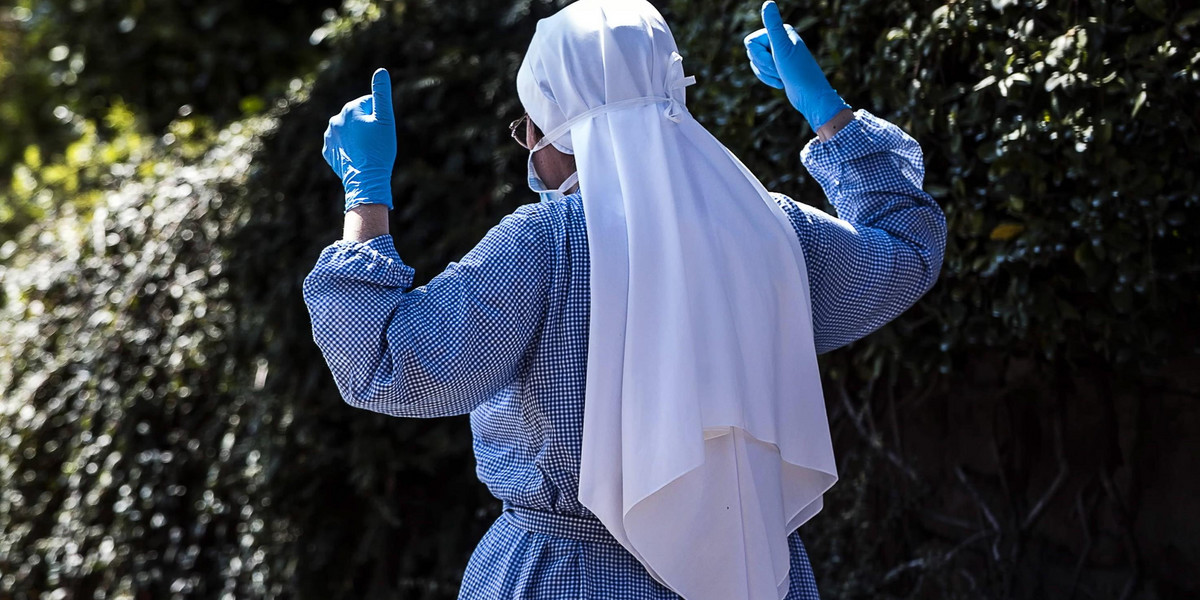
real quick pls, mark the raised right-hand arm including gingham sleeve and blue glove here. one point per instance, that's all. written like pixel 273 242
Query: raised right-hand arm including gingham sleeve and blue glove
pixel 886 250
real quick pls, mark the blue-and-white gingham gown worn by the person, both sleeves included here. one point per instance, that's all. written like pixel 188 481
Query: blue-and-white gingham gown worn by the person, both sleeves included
pixel 503 335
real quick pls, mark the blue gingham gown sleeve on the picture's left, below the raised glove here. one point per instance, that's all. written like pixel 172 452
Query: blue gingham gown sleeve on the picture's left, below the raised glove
pixel 440 350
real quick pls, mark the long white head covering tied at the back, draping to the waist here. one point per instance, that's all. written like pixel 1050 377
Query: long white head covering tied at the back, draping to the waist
pixel 705 434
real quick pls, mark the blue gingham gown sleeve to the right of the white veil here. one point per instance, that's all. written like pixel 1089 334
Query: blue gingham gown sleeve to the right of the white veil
pixel 885 249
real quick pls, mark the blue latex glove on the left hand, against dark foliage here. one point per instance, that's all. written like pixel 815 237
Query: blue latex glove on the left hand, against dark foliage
pixel 361 146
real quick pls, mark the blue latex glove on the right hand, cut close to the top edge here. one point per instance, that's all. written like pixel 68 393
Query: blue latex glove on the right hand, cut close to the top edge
pixel 781 59
